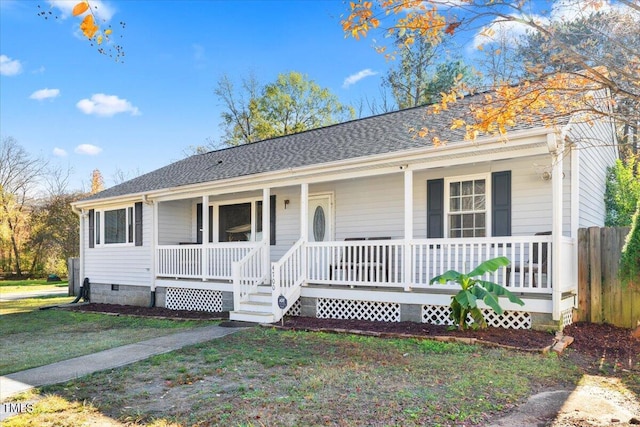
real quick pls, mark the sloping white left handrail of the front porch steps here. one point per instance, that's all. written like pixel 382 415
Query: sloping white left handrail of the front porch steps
pixel 248 274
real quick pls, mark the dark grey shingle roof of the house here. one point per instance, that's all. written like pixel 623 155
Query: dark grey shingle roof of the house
pixel 386 133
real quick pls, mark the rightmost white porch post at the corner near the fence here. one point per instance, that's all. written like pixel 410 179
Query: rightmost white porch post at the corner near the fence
pixel 557 209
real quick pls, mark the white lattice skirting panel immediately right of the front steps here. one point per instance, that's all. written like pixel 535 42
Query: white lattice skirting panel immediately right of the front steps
pixel 361 310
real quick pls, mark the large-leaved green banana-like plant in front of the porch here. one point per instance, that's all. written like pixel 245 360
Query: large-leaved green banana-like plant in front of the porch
pixel 465 302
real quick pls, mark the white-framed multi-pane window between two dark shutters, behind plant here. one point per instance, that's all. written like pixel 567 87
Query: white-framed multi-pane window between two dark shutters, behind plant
pixel 467 207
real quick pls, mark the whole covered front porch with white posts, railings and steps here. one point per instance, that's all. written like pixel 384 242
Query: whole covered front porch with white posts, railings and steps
pixel 375 235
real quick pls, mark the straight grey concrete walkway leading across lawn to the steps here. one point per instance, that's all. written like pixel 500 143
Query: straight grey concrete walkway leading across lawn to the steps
pixel 67 370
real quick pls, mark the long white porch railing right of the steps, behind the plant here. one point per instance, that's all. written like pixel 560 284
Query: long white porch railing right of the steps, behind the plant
pixel 381 263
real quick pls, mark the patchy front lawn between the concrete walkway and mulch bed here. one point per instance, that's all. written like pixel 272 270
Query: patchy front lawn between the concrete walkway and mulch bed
pixel 263 376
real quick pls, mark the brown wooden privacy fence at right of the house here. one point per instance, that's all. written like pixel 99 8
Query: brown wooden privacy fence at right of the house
pixel 602 298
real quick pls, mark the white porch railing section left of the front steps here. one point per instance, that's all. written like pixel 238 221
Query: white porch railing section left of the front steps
pixel 186 262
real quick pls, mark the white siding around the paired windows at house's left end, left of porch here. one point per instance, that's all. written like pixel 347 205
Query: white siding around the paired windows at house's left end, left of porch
pixel 121 264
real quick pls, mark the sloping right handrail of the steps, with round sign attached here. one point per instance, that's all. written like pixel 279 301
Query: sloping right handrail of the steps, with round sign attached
pixel 289 273
